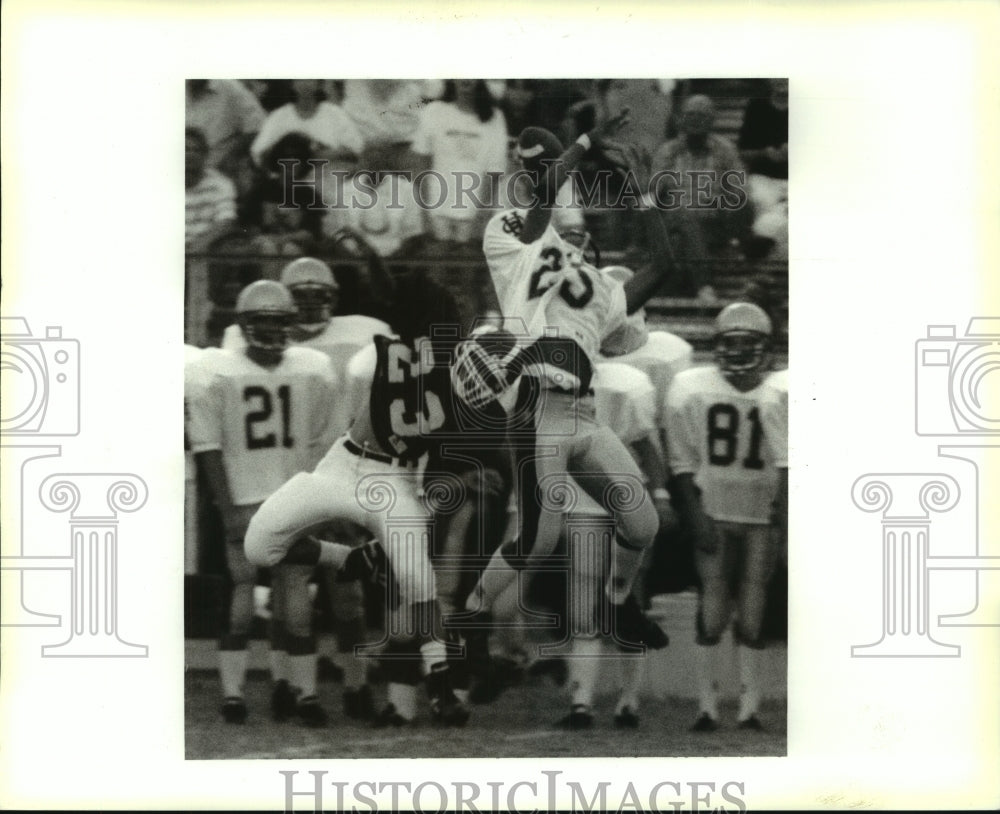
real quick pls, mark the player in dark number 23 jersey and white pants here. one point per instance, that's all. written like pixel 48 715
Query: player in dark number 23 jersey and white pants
pixel 371 476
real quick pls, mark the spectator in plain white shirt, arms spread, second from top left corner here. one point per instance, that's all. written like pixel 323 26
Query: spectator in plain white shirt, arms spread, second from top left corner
pixel 333 134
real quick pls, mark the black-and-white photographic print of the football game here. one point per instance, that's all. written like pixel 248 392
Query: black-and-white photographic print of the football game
pixel 486 391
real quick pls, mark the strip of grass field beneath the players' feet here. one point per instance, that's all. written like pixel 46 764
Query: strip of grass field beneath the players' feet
pixel 519 724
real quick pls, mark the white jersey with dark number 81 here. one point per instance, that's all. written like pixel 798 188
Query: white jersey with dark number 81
pixel 733 442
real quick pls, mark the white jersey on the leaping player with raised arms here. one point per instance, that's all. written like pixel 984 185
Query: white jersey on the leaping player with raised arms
pixel 548 284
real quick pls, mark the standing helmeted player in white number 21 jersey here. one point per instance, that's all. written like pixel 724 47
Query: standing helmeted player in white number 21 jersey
pixel 257 417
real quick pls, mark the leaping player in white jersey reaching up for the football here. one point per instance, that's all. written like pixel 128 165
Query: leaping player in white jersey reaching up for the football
pixel 568 308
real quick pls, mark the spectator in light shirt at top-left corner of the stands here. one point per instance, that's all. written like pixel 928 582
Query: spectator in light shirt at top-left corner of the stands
pixel 229 116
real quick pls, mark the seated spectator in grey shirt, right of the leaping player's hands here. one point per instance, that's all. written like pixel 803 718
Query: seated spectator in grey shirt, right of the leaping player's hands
pixel 701 234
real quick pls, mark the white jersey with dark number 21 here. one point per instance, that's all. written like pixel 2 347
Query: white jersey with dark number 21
pixel 269 423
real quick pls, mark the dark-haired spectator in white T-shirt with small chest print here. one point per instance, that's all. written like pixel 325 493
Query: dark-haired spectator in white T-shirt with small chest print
pixel 465 132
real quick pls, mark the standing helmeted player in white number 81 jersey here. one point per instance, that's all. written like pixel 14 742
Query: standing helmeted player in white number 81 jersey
pixel 728 436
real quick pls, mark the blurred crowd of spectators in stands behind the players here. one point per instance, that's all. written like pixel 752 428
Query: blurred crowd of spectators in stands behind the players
pixel 371 133
